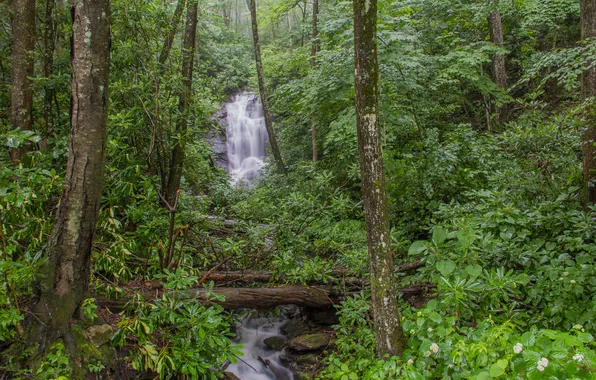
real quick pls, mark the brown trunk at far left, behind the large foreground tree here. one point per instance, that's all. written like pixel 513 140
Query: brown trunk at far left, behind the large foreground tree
pixel 23 49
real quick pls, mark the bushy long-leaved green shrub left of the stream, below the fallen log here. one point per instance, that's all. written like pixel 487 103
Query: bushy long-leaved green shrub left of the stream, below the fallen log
pixel 177 335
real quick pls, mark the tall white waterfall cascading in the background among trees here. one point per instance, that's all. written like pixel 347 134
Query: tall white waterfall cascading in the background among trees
pixel 246 138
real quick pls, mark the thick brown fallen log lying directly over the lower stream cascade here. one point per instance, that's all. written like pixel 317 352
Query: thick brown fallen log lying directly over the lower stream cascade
pixel 268 298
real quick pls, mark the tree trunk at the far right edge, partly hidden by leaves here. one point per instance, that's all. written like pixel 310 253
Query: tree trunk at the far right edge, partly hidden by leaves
pixel 588 30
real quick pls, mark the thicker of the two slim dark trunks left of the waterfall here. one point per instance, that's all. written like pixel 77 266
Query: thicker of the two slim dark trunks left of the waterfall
pixel 178 153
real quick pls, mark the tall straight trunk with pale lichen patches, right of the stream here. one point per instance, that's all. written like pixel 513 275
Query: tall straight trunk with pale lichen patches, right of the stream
pixel 388 330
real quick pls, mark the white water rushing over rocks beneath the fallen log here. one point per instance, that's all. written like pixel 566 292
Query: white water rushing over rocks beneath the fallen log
pixel 251 333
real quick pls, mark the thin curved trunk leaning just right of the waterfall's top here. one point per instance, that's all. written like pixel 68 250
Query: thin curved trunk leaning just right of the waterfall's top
pixel 262 91
